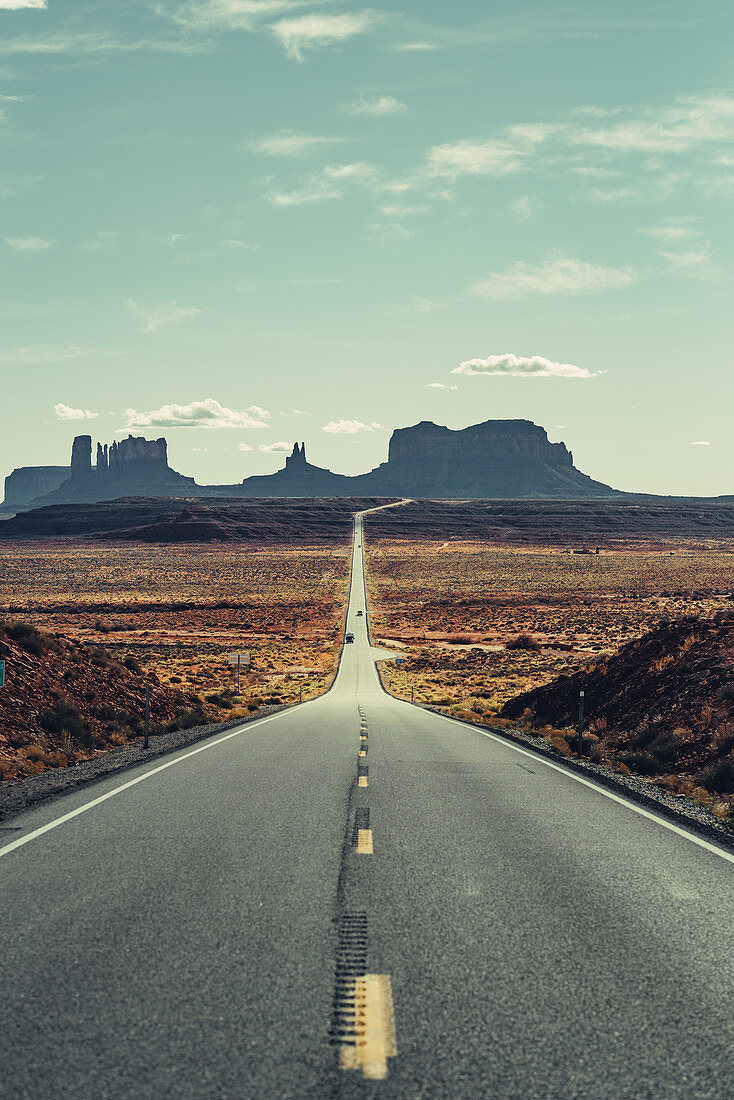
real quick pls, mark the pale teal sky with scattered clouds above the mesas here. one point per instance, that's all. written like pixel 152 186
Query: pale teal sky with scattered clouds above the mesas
pixel 269 218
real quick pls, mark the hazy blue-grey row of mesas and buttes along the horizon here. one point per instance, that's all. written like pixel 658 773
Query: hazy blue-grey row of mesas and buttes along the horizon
pixel 498 459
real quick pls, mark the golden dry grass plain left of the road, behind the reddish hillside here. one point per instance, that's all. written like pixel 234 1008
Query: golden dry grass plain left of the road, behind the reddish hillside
pixel 180 611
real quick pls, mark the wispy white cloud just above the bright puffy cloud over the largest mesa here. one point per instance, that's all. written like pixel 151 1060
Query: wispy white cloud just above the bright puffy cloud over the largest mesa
pixel 557 274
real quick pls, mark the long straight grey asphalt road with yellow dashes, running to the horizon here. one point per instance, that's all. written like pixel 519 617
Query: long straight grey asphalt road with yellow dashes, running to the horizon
pixel 202 927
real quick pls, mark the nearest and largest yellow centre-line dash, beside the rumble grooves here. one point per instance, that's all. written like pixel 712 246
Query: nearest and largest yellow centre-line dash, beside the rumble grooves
pixel 375 1028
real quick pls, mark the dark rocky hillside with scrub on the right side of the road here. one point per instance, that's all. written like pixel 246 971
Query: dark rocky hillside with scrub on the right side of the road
pixel 662 707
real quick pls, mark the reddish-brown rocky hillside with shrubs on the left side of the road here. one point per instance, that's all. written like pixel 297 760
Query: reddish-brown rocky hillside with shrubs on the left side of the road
pixel 64 702
